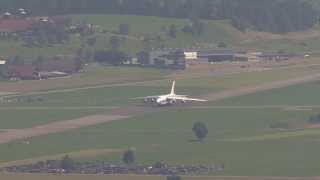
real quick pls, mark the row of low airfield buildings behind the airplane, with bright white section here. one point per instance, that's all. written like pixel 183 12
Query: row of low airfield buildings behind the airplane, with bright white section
pixel 183 57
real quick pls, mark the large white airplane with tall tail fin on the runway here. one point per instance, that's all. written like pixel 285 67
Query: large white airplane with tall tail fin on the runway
pixel 169 99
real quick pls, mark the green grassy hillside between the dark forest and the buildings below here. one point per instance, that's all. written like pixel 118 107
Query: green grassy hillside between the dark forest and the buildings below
pixel 156 28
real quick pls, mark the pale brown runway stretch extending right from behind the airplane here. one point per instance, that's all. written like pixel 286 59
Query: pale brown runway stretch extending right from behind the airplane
pixel 264 87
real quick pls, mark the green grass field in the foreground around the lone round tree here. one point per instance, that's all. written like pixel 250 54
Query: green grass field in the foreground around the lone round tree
pixel 163 136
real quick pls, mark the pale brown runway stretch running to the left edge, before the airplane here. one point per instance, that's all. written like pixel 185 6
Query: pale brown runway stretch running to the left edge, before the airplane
pixel 56 127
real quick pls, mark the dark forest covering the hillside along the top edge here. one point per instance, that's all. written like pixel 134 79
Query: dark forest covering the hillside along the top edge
pixel 279 16
